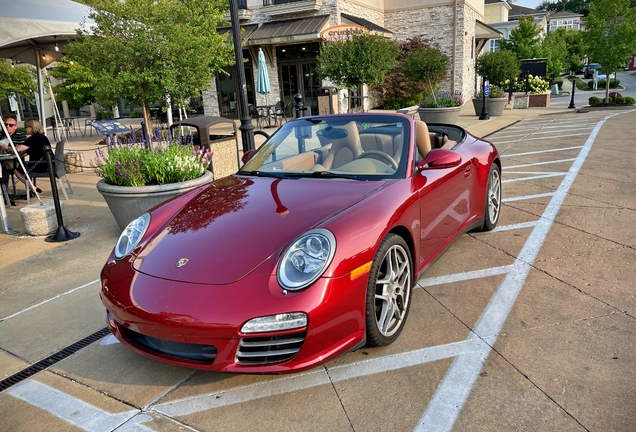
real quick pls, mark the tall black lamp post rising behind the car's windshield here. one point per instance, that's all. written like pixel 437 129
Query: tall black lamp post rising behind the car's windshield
pixel 246 127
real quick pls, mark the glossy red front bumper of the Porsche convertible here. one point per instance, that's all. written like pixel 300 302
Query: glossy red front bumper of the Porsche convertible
pixel 196 325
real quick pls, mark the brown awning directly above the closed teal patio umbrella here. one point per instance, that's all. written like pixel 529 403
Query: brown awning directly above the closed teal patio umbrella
pixel 294 30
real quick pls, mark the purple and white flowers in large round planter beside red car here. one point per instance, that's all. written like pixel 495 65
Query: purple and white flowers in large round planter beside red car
pixel 136 178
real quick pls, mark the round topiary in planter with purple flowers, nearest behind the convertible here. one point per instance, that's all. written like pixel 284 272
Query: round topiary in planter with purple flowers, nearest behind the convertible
pixel 429 66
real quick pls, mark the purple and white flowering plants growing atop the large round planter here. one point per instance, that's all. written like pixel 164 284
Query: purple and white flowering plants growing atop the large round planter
pixel 135 165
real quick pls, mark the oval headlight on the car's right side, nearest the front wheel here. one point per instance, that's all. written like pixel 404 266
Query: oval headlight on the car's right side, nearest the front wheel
pixel 306 259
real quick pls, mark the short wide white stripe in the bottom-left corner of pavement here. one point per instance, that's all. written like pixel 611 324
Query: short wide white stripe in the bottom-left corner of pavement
pixel 69 408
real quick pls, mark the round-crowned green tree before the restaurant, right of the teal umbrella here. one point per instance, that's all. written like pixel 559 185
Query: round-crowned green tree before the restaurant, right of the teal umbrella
pixel 362 59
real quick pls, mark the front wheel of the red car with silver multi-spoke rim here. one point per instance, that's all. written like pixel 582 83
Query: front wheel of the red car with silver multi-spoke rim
pixel 389 291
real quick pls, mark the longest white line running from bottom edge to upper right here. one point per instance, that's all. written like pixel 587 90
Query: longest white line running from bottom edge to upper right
pixel 451 395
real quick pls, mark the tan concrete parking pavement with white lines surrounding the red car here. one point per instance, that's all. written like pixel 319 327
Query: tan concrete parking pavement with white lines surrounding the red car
pixel 529 327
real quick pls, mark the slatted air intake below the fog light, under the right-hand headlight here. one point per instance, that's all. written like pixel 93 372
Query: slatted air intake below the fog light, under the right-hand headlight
pixel 264 350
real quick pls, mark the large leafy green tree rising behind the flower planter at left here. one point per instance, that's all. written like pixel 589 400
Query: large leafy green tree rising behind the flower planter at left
pixel 143 49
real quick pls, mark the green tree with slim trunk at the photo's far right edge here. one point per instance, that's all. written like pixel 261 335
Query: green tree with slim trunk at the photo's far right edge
pixel 611 35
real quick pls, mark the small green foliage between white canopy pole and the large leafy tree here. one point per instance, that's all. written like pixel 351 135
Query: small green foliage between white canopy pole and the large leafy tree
pixel 77 87
